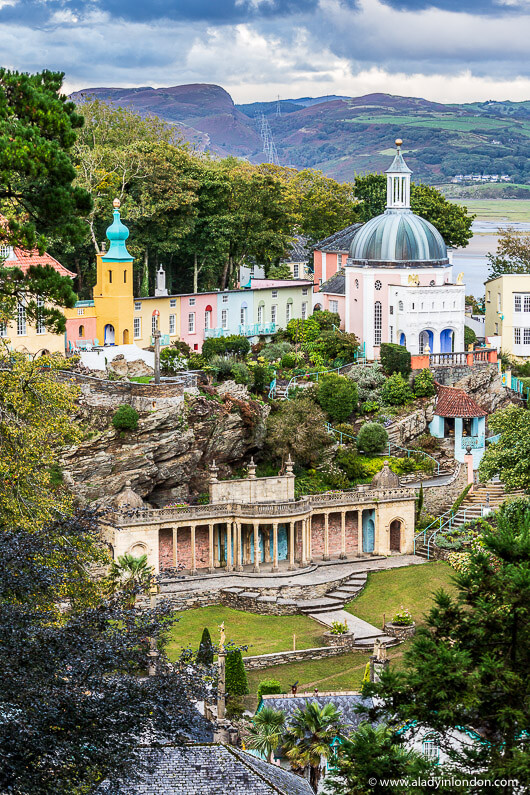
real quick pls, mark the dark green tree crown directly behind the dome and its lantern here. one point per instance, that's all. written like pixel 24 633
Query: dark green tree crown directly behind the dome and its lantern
pixel 452 221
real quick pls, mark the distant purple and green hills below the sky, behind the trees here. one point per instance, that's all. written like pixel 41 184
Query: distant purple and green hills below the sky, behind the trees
pixel 343 136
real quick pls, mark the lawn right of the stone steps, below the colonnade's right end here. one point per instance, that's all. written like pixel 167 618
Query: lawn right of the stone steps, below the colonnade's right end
pixel 411 586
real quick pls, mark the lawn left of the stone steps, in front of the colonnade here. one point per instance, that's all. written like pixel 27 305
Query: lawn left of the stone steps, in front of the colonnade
pixel 267 634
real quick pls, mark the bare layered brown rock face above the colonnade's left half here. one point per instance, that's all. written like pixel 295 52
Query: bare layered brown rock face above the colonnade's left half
pixel 167 458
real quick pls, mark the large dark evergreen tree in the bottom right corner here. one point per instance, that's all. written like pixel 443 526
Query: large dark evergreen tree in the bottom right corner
pixel 469 666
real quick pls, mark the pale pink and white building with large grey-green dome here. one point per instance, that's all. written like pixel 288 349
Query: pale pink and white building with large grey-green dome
pixel 397 280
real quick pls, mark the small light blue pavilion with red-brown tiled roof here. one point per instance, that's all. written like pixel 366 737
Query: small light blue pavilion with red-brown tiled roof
pixel 458 416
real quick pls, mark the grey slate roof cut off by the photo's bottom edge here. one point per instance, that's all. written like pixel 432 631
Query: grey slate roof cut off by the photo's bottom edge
pixel 212 769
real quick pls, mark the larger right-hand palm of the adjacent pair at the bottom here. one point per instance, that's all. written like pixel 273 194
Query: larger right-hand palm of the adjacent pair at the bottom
pixel 309 737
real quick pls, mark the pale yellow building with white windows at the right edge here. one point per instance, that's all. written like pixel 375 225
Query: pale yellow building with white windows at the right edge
pixel 508 314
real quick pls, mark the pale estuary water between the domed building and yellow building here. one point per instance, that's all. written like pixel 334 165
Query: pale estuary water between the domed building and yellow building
pixel 472 260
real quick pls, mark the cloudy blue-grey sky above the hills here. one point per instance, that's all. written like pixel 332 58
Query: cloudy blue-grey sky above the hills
pixel 447 50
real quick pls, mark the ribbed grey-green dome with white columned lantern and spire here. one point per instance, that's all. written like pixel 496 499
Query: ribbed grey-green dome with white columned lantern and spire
pixel 398 236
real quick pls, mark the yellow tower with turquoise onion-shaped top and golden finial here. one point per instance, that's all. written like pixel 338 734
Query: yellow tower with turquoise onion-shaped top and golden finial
pixel 113 291
